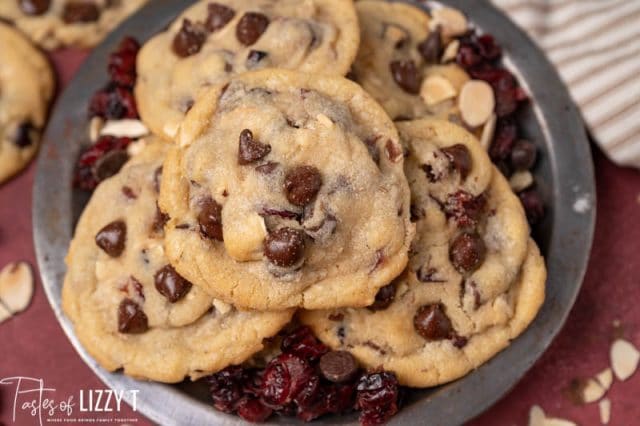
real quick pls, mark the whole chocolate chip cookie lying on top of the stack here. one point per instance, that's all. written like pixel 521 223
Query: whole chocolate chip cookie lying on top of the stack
pixel 286 189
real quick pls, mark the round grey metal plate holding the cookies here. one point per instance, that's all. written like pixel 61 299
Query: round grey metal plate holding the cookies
pixel 564 175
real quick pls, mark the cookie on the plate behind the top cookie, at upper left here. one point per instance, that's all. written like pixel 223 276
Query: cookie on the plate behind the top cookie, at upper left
pixel 214 40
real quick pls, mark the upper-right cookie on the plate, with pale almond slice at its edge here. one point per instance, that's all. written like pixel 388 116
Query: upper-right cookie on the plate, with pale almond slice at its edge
pixel 399 62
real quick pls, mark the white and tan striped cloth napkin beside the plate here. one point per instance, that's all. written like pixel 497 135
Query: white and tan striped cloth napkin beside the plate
pixel 596 46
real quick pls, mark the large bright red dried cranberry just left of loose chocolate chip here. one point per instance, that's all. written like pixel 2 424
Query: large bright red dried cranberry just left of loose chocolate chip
pixel 284 378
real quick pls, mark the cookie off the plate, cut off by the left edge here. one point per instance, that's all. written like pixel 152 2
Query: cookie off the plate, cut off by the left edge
pixel 26 88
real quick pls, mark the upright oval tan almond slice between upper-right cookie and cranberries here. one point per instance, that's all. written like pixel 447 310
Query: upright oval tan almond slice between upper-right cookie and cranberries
pixel 476 102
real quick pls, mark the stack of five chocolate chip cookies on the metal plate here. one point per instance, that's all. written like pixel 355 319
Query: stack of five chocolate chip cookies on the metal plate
pixel 273 189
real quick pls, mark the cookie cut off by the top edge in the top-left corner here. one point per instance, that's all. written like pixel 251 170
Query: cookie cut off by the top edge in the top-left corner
pixel 56 23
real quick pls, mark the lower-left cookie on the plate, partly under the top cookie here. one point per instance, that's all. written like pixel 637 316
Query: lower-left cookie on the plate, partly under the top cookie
pixel 130 308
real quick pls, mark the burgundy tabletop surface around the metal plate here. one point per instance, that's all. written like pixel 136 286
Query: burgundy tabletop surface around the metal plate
pixel 33 344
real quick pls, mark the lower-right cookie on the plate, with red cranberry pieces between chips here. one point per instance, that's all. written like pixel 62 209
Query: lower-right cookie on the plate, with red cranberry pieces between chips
pixel 475 280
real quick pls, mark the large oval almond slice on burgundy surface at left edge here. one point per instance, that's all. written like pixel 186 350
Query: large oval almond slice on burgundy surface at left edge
pixel 16 286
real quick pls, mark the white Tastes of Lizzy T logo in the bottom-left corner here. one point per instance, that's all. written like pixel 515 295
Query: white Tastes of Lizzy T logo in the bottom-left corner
pixel 31 398
